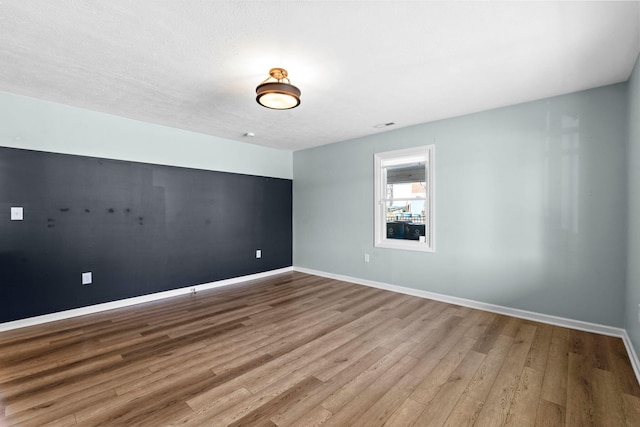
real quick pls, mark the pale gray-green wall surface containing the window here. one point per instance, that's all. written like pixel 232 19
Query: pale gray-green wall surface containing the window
pixel 530 207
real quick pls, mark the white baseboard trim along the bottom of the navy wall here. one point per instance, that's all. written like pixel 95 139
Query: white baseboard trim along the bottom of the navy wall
pixel 45 318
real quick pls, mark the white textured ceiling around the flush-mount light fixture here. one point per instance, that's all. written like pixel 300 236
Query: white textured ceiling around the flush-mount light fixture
pixel 194 64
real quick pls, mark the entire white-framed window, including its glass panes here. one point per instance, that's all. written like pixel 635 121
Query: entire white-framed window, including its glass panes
pixel 404 199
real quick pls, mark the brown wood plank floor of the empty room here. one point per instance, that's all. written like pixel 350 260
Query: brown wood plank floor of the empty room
pixel 302 350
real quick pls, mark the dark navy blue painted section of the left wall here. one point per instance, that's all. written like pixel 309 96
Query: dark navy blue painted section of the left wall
pixel 139 228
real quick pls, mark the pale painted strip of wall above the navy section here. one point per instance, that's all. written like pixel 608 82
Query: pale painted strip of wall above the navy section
pixel 44 126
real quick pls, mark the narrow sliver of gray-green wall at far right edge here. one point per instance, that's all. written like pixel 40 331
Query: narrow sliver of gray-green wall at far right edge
pixel 632 323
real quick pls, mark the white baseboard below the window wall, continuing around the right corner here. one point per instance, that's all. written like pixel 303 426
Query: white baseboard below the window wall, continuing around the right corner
pixel 514 312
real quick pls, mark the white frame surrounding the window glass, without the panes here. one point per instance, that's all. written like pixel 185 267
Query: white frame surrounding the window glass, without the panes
pixel 424 153
